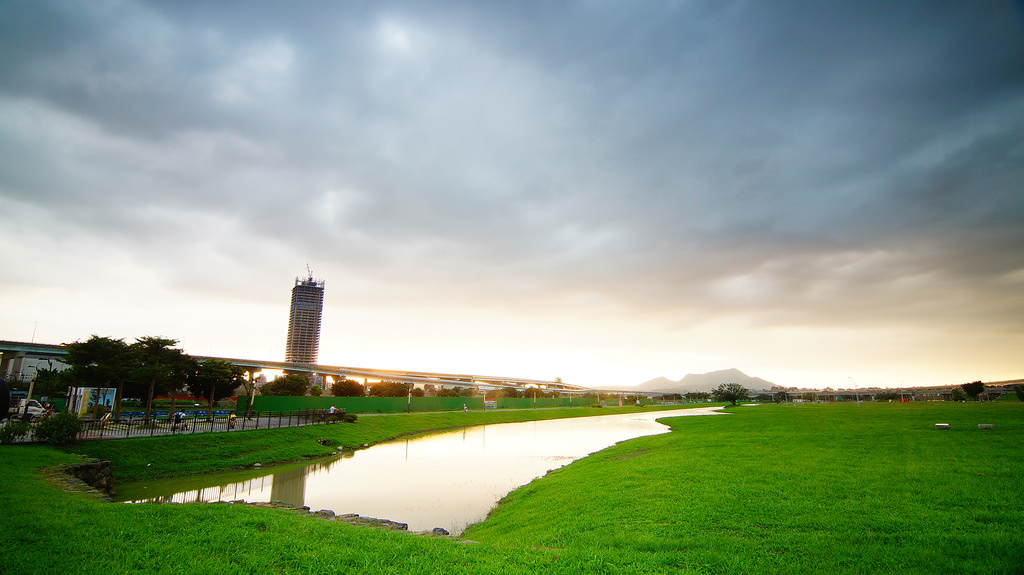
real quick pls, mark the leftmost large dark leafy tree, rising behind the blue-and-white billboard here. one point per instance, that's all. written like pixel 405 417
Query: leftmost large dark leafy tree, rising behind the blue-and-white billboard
pixel 100 363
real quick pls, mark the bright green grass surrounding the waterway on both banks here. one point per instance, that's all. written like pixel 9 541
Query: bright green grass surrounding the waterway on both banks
pixel 771 490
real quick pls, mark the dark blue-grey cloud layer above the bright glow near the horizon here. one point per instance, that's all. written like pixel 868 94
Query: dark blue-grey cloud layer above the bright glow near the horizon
pixel 805 162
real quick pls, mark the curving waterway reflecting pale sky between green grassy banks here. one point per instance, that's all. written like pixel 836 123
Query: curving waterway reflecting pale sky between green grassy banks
pixel 449 480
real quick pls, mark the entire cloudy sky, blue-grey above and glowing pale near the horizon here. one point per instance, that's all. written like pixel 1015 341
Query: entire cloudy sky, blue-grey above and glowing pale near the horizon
pixel 817 194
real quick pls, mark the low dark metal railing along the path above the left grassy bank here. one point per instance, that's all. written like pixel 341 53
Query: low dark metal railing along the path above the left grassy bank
pixel 202 423
